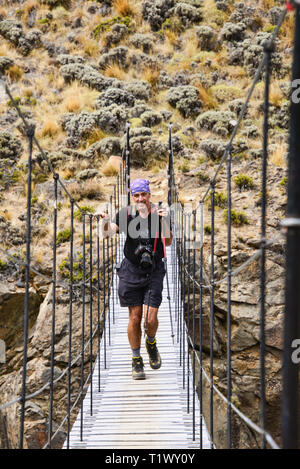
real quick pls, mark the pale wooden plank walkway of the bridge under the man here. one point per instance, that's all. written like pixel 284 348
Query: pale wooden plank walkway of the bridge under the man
pixel 150 413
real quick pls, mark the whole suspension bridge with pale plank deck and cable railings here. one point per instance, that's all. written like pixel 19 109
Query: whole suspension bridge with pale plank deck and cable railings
pixel 106 409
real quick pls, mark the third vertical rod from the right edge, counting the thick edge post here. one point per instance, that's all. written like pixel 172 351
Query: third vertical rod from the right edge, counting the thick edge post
pixel 229 390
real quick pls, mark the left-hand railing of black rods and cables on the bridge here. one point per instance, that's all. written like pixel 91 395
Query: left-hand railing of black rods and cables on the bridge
pixel 77 291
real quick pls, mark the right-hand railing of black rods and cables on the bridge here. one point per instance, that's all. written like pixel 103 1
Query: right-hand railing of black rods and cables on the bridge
pixel 186 247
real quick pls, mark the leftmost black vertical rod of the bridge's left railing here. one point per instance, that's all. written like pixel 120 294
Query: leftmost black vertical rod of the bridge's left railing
pixel 30 135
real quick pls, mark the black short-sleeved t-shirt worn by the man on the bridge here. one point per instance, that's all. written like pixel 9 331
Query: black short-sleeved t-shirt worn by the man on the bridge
pixel 138 229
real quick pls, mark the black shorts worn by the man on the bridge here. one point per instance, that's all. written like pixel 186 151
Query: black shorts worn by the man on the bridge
pixel 134 284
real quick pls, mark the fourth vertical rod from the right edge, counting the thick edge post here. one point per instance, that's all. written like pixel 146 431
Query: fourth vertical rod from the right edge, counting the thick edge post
pixel 212 315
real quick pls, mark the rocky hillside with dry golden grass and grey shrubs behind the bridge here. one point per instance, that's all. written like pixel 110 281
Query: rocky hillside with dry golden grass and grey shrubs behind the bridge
pixel 79 70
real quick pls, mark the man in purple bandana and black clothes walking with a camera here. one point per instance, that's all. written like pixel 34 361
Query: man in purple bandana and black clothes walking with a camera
pixel 141 274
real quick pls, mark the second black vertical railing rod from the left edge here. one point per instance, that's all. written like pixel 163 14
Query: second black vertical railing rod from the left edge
pixel 53 314
